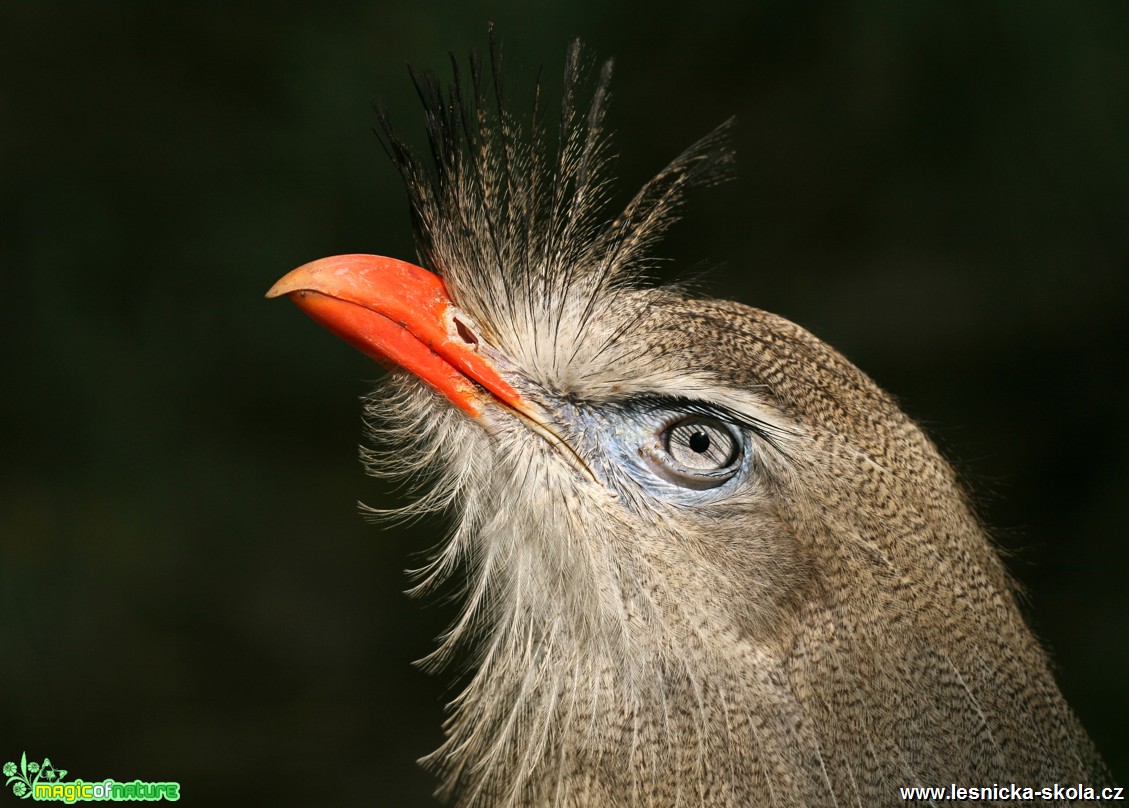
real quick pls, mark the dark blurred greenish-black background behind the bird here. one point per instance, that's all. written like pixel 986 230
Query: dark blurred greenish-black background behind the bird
pixel 187 590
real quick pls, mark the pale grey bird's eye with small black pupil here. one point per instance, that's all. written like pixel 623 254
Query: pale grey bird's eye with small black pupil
pixel 697 453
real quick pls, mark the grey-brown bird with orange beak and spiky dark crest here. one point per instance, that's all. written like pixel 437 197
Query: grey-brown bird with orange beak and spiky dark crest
pixel 704 559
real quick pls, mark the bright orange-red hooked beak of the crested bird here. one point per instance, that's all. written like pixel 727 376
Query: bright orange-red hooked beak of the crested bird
pixel 401 315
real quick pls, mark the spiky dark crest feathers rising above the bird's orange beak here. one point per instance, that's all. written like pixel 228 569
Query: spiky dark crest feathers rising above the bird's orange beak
pixel 517 223
